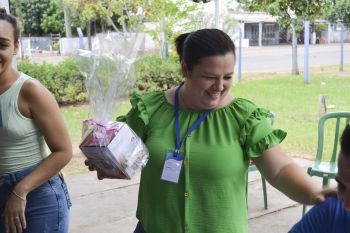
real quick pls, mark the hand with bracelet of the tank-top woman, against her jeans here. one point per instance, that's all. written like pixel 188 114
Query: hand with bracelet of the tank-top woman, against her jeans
pixel 14 217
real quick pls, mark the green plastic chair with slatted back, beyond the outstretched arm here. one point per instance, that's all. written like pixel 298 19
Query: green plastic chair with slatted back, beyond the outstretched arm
pixel 327 170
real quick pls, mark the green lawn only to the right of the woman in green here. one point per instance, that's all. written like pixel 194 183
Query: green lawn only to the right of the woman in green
pixel 296 105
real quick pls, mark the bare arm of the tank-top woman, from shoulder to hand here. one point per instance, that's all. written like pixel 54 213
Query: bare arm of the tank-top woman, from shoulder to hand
pixel 36 102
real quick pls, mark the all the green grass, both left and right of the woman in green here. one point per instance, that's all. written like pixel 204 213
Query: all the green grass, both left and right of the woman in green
pixel 295 104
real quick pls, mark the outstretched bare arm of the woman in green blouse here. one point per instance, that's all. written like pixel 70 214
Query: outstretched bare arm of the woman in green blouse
pixel 288 177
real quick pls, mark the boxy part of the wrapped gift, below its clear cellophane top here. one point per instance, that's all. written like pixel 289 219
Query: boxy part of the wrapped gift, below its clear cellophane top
pixel 113 149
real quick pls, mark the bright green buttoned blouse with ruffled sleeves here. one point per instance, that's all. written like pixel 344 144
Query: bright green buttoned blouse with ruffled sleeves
pixel 211 194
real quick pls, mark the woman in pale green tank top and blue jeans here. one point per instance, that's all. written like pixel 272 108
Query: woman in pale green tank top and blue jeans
pixel 33 196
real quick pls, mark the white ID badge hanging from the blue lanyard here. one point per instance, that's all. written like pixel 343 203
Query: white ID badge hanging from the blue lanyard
pixel 172 167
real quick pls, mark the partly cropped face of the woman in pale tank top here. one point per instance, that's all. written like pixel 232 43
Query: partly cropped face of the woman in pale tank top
pixel 7 46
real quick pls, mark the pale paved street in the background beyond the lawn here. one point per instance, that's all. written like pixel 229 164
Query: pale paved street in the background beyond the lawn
pixel 277 58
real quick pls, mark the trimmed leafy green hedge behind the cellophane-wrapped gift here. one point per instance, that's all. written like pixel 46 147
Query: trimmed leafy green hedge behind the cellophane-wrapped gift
pixel 67 84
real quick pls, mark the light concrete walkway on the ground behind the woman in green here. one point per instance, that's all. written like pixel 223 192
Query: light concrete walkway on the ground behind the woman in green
pixel 110 205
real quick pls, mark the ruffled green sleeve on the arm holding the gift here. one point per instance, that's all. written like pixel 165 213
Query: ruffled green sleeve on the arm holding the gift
pixel 142 108
